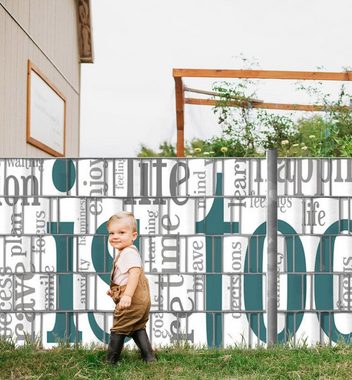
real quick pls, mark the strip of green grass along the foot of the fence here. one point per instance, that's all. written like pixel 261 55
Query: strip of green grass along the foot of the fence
pixel 31 362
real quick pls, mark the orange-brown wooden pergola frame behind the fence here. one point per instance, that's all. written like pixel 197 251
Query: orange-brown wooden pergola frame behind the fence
pixel 181 100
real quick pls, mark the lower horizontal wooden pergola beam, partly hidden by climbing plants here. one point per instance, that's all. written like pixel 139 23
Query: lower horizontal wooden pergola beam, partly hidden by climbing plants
pixel 270 106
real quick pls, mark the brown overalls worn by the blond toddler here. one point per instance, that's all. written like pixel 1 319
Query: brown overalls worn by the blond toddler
pixel 135 317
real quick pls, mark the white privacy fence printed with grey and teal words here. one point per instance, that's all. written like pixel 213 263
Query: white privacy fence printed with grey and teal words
pixel 202 237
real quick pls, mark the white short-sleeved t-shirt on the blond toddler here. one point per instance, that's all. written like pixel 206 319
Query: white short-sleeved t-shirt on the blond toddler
pixel 129 258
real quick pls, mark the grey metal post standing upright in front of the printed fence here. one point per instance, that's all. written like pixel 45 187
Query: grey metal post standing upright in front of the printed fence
pixel 271 156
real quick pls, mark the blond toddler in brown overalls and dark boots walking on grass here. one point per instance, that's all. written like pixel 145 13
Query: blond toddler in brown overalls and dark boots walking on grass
pixel 128 288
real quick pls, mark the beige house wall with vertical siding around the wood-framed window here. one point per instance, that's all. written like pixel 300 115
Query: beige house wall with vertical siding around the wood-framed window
pixel 44 32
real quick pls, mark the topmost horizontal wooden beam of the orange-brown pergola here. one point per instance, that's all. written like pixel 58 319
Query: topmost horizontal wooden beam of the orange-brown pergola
pixel 263 74
